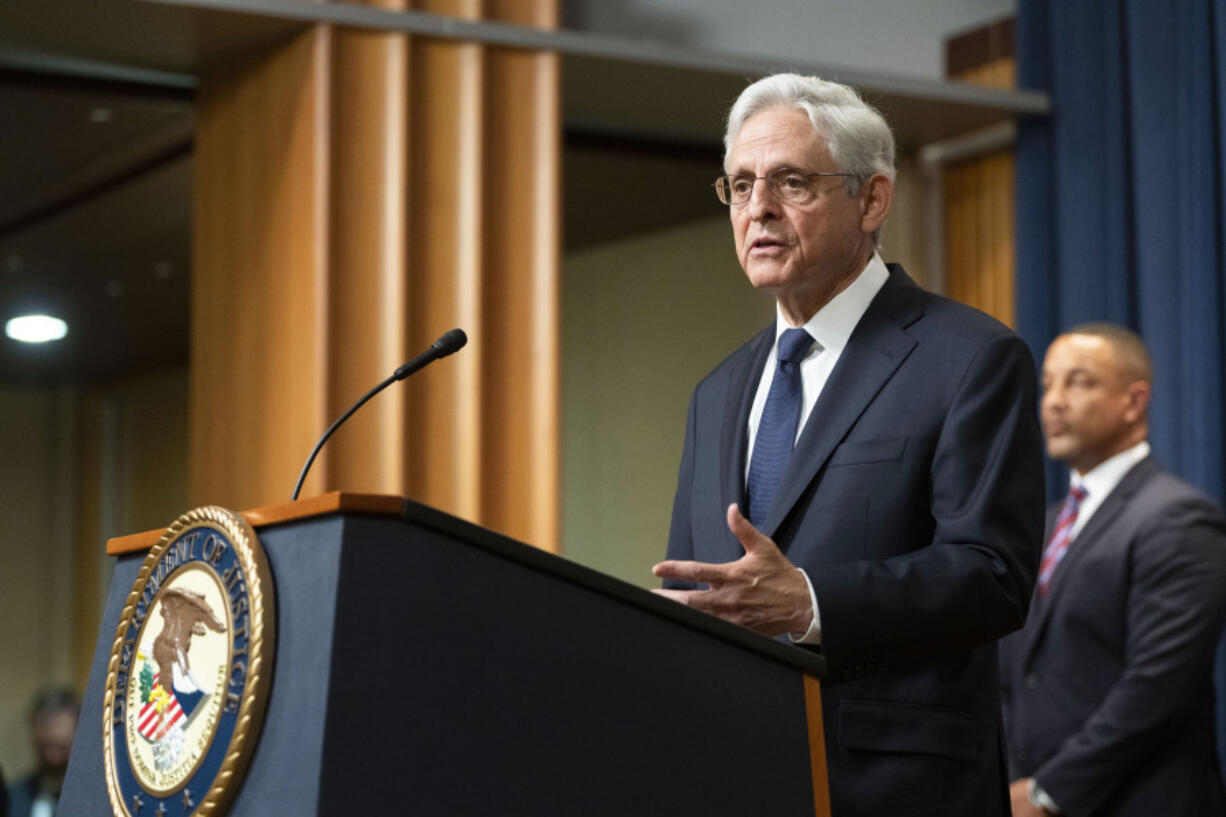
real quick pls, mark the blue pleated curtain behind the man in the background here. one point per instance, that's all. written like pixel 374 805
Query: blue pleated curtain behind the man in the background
pixel 1120 207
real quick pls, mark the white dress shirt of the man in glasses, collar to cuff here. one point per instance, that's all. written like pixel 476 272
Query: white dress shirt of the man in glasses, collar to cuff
pixel 832 328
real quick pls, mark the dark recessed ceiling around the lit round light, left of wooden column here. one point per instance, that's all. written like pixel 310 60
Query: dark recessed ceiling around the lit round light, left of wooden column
pixel 95 226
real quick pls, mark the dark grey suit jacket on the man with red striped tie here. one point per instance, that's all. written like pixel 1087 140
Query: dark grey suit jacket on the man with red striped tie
pixel 1108 691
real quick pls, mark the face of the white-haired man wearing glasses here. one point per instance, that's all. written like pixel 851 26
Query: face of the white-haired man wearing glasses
pixel 786 250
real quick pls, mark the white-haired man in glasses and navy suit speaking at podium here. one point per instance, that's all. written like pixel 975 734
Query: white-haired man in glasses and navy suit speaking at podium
pixel 865 475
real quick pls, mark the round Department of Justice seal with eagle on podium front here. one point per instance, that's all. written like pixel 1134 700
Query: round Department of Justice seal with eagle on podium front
pixel 189 672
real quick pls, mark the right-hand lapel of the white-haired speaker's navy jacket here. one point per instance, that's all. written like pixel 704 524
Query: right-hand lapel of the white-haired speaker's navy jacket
pixel 875 353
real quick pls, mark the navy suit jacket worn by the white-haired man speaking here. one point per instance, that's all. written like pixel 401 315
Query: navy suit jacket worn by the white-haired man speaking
pixel 915 502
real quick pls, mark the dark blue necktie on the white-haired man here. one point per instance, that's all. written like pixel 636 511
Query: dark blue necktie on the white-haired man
pixel 777 431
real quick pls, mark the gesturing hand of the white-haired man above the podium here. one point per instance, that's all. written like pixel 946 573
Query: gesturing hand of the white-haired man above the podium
pixel 762 591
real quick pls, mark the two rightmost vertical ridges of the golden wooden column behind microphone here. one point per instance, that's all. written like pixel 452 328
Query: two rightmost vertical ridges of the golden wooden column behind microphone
pixel 485 256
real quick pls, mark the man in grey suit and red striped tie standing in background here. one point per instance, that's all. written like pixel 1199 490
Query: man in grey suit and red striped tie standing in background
pixel 1108 691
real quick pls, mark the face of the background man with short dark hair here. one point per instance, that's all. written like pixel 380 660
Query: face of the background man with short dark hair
pixel 1089 412
